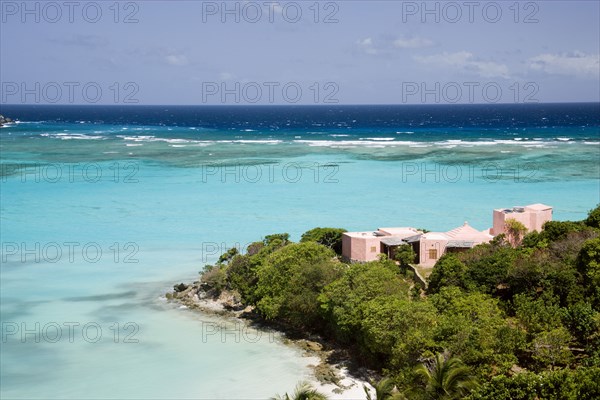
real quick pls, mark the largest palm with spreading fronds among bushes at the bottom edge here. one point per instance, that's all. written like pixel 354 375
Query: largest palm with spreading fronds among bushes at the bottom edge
pixel 446 378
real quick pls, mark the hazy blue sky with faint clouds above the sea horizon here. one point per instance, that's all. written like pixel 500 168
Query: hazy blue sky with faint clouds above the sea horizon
pixel 299 52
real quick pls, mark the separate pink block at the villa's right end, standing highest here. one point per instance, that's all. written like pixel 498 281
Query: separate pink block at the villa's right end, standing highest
pixel 532 216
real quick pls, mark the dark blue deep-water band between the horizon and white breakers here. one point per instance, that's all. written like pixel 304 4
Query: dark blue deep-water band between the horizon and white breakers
pixel 430 122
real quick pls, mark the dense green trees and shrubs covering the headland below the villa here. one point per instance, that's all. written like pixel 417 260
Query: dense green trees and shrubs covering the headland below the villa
pixel 519 317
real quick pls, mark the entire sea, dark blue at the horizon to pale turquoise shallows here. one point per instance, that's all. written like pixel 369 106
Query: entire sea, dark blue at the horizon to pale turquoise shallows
pixel 104 208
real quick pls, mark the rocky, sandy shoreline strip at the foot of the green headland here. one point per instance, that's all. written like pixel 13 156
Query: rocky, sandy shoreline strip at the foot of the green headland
pixel 334 365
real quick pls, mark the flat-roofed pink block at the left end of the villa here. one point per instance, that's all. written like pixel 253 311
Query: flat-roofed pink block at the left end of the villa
pixel 366 246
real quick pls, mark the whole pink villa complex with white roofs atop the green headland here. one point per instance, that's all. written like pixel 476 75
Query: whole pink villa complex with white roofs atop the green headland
pixel 430 246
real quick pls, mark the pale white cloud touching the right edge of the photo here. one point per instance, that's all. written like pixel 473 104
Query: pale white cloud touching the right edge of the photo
pixel 576 63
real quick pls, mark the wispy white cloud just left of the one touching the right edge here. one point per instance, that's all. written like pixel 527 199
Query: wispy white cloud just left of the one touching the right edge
pixel 466 62
